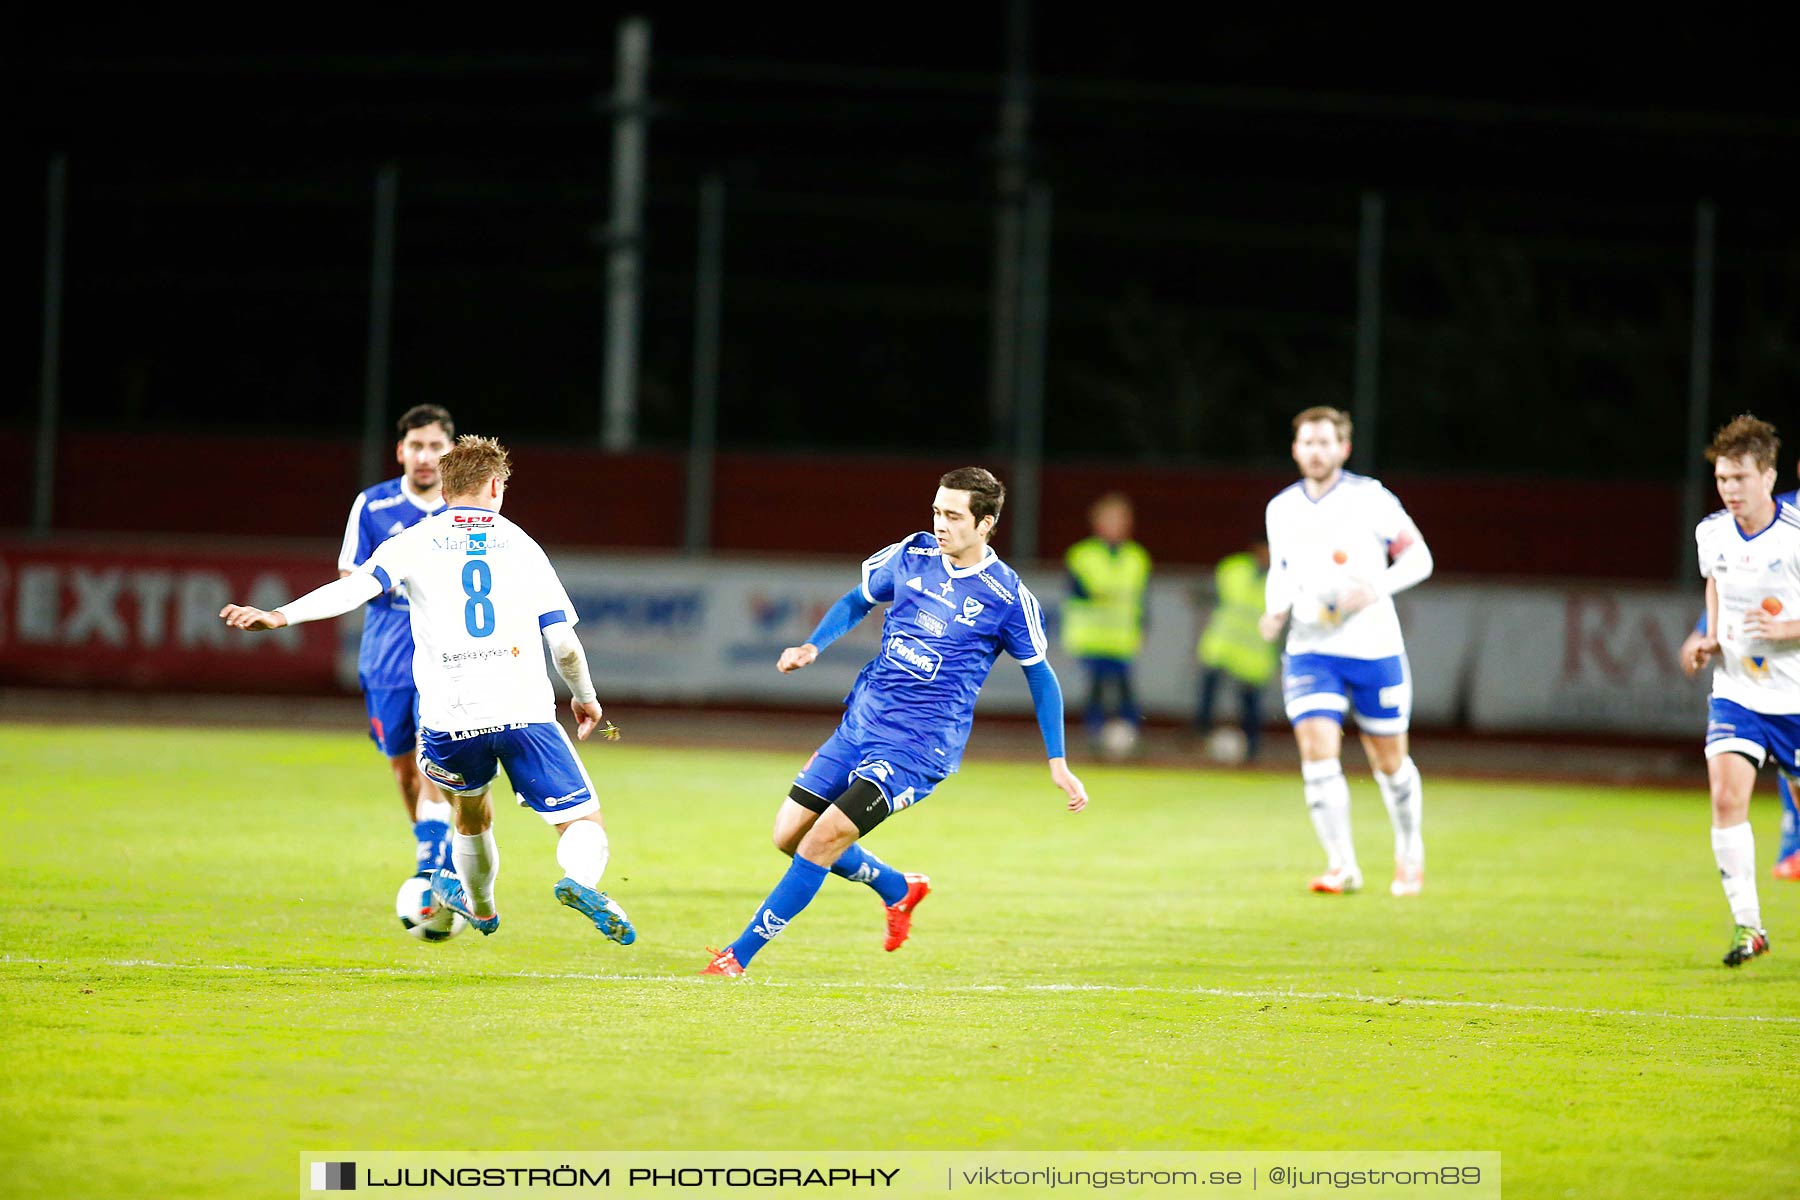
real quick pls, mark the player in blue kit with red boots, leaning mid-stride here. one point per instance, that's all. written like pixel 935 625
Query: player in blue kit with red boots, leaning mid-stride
pixel 953 607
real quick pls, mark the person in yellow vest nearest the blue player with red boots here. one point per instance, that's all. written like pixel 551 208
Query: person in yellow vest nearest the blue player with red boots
pixel 1102 623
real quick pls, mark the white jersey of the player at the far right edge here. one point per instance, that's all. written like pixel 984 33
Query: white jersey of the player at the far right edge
pixel 1756 571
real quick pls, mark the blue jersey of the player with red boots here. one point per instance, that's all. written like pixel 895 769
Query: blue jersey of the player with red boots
pixel 942 634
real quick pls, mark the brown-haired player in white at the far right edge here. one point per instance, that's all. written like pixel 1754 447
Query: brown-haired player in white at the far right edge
pixel 1750 557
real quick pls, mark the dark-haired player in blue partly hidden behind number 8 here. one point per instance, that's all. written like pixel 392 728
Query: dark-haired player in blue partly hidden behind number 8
pixel 384 658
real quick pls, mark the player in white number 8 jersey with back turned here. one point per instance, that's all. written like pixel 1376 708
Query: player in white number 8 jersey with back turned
pixel 483 595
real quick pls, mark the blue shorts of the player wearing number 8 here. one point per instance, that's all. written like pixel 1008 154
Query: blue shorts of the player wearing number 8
pixel 541 762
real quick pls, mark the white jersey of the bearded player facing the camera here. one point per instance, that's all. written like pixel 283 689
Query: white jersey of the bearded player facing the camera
pixel 1318 550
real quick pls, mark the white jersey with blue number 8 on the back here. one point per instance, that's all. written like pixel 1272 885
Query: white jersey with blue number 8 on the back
pixel 481 595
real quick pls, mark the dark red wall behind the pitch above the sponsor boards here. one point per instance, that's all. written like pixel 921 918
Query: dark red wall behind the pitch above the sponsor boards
pixel 822 505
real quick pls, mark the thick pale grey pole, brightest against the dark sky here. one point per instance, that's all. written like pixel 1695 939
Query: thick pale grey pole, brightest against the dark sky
pixel 625 237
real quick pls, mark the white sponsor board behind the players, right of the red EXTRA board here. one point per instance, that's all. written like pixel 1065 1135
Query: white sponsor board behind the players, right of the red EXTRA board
pixel 1491 658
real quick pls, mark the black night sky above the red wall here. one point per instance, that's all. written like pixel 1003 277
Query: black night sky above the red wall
pixel 1540 192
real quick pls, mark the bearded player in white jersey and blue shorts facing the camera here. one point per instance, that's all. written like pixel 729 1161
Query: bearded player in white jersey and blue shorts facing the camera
pixel 1340 548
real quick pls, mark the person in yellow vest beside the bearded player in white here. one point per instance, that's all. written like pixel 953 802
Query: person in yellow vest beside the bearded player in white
pixel 1234 650
